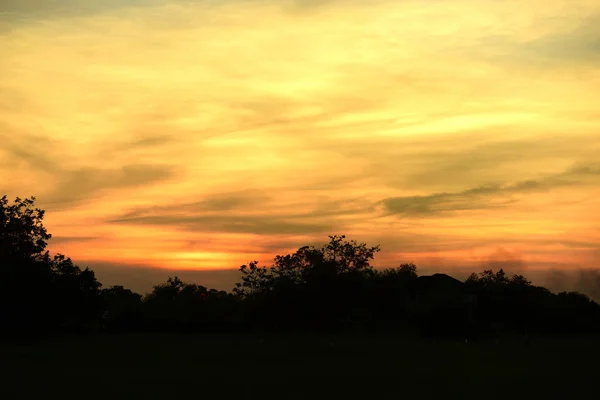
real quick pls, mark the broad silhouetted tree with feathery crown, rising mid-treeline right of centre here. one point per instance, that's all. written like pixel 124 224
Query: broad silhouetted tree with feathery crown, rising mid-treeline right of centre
pixel 321 284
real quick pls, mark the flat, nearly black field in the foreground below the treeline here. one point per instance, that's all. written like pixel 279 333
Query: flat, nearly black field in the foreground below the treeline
pixel 299 367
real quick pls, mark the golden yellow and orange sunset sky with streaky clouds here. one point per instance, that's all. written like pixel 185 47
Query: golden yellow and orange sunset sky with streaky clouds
pixel 191 137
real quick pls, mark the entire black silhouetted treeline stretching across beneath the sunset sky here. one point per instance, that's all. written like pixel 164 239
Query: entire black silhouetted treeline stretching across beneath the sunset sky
pixel 332 288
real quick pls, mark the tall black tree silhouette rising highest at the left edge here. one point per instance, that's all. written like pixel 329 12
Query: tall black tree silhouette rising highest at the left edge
pixel 39 293
